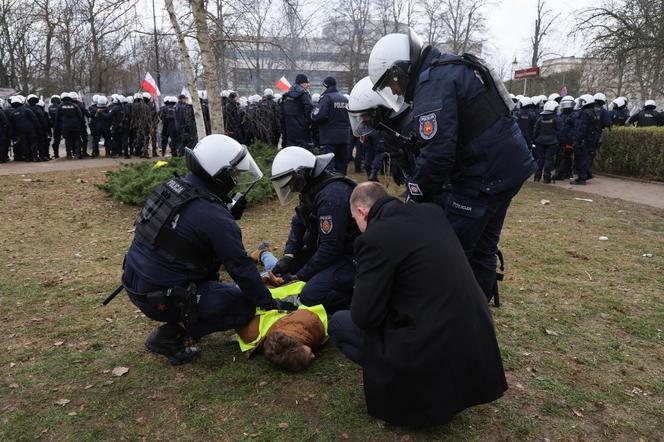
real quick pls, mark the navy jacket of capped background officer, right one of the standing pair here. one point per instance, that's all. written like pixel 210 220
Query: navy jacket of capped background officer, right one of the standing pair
pixel 331 117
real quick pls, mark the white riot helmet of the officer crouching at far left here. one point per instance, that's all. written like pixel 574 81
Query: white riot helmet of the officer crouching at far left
pixel 222 163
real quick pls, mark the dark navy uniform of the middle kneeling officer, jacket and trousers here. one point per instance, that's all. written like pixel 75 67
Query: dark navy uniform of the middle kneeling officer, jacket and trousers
pixel 321 238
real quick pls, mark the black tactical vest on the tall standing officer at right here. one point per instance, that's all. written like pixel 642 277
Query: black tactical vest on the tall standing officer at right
pixel 484 109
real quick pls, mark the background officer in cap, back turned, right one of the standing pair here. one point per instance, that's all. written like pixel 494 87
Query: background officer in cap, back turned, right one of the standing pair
pixel 331 119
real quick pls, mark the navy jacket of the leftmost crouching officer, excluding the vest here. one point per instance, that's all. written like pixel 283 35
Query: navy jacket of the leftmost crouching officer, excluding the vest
pixel 214 236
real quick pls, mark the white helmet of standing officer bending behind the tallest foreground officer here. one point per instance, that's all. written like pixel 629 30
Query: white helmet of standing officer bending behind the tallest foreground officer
pixel 362 104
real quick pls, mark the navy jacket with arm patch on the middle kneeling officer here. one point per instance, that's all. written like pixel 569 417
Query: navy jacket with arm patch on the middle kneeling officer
pixel 324 223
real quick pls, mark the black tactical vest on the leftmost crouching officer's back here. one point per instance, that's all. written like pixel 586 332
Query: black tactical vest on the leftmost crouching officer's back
pixel 156 223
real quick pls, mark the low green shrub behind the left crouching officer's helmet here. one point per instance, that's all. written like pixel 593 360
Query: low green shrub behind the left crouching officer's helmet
pixel 134 182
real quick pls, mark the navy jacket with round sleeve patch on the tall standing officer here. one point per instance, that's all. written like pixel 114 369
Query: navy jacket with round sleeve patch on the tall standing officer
pixel 494 161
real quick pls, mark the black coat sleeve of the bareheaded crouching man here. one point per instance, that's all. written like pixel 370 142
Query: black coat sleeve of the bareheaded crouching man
pixel 373 285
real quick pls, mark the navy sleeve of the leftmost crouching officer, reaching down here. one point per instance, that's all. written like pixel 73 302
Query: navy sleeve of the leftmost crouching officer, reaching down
pixel 225 236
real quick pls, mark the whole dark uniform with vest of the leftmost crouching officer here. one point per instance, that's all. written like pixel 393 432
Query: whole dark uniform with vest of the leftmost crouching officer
pixel 183 239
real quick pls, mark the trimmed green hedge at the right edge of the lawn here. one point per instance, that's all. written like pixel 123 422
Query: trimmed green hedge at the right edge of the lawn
pixel 634 152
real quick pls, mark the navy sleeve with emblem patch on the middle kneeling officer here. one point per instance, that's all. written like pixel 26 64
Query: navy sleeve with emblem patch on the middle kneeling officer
pixel 333 217
